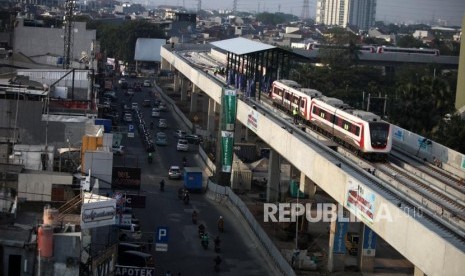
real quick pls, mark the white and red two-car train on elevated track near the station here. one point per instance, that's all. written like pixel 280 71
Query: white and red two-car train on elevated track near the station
pixel 361 131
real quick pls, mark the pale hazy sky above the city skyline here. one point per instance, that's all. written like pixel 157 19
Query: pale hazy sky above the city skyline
pixel 390 11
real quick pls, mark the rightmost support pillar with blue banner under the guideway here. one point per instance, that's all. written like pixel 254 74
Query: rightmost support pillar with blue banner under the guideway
pixel 367 245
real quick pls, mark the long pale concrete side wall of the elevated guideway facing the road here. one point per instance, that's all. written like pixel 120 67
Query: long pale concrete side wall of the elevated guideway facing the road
pixel 430 251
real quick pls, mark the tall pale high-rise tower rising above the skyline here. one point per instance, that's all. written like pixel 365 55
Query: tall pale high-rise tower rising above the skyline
pixel 360 13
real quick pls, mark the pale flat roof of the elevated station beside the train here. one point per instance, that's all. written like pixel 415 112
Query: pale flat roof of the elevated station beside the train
pixel 241 46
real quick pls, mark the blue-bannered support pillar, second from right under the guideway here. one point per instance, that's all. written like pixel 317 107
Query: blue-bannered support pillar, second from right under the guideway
pixel 336 247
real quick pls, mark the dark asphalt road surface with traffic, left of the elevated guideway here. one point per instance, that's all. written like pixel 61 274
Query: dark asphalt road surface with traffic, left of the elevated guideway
pixel 239 252
